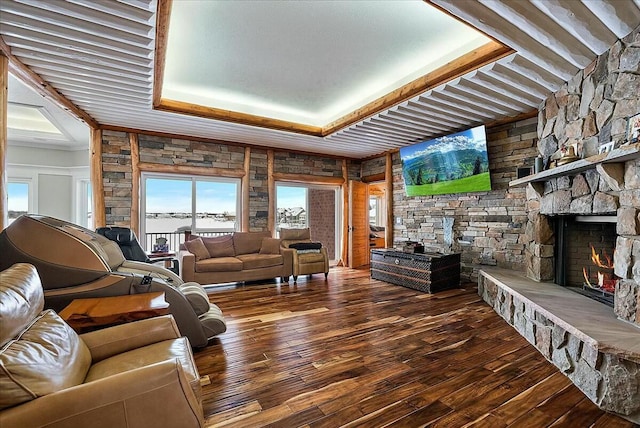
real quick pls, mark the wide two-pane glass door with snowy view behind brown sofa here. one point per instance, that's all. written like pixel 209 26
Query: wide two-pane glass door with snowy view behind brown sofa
pixel 173 206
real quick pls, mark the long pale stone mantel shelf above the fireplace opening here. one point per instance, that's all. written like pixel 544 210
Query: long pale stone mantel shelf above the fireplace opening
pixel 619 155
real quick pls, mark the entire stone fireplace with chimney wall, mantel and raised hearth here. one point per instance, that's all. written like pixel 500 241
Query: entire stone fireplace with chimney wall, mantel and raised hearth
pixel 594 345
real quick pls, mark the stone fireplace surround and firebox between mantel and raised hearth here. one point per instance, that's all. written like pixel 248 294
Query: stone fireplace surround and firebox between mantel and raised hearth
pixel 591 193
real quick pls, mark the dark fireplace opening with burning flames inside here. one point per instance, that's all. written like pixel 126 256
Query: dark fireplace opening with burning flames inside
pixel 585 246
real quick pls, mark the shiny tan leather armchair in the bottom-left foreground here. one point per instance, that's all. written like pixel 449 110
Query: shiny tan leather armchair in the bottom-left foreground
pixel 140 374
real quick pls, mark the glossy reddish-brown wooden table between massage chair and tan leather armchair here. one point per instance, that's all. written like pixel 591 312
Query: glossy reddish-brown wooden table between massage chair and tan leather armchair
pixel 88 314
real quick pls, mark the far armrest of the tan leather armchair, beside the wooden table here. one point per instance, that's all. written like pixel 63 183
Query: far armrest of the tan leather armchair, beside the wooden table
pixel 114 340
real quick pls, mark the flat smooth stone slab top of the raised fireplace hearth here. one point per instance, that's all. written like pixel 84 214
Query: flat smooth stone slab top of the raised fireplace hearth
pixel 592 322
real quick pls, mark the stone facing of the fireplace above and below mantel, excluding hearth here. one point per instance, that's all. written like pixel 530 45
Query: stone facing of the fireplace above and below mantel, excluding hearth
pixel 588 111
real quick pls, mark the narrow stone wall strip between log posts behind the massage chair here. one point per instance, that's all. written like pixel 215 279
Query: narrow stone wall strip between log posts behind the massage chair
pixel 117 177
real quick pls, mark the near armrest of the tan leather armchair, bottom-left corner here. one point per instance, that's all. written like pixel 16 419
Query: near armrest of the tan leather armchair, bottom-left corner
pixel 136 399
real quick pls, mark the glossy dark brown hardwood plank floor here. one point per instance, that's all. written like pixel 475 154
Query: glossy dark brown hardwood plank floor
pixel 360 352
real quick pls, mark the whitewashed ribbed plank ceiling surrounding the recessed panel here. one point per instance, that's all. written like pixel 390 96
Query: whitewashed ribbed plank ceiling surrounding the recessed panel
pixel 99 55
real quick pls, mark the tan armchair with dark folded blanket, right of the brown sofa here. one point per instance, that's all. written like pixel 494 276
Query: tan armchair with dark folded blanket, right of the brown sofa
pixel 309 257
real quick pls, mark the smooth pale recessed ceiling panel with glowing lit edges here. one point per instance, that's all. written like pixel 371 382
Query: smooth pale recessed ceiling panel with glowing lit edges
pixel 305 62
